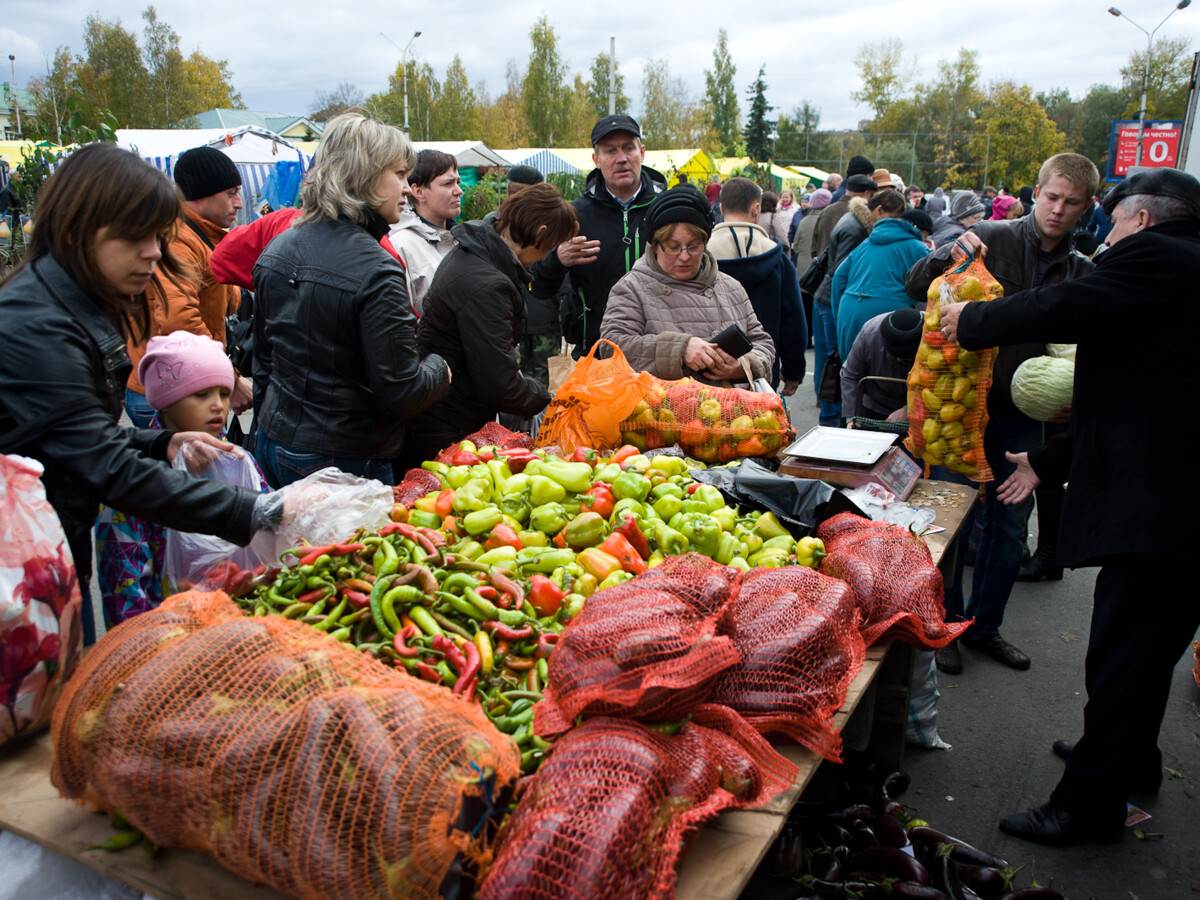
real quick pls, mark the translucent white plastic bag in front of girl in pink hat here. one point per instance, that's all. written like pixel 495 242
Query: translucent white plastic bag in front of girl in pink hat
pixel 200 560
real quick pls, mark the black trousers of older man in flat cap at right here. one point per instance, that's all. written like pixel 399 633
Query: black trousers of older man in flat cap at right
pixel 1144 620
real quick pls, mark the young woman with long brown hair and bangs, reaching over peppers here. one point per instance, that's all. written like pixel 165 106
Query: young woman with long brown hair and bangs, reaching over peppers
pixel 103 229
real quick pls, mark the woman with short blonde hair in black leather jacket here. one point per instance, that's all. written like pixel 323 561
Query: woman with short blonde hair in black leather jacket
pixel 337 369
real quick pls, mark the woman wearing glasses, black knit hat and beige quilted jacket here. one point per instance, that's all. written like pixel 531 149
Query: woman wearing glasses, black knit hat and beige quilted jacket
pixel 665 313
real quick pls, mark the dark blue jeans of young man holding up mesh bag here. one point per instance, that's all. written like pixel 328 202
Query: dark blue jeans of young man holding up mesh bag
pixel 1004 529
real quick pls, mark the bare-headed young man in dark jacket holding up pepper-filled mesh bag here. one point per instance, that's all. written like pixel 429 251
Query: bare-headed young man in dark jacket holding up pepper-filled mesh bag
pixel 1022 254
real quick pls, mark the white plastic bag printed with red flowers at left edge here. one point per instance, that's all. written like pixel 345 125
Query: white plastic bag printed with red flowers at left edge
pixel 41 625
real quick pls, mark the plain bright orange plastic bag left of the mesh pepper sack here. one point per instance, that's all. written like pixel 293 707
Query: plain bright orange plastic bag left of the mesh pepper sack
pixel 587 411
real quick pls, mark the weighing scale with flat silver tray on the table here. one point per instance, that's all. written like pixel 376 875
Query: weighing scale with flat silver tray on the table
pixel 853 459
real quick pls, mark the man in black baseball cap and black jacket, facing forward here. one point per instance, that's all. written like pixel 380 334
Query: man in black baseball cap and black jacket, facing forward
pixel 613 231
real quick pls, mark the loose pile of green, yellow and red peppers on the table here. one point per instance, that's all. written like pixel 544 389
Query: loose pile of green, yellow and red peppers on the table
pixel 473 584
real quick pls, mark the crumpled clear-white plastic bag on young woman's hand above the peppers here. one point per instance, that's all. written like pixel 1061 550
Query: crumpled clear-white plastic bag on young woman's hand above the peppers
pixel 326 507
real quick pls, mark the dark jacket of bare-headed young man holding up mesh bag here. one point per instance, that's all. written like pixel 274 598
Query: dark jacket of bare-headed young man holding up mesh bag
pixel 1015 249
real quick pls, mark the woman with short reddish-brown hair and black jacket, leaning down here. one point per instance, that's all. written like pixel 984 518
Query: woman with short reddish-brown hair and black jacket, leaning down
pixel 476 313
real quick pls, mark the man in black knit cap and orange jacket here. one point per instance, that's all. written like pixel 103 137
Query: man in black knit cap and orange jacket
pixel 211 187
